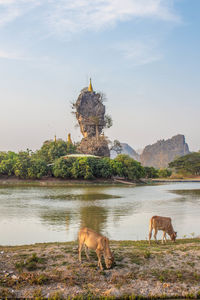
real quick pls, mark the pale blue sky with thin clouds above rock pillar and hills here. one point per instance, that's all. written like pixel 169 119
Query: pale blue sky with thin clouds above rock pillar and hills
pixel 143 54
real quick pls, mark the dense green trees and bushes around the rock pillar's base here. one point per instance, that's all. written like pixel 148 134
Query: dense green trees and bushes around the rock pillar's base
pixel 49 161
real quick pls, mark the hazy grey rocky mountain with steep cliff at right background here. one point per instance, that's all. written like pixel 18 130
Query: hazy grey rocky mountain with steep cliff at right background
pixel 161 153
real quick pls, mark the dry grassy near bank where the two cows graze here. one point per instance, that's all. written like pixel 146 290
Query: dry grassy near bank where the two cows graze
pixel 52 271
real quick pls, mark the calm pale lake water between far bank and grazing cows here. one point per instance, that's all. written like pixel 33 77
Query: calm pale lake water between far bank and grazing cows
pixel 40 214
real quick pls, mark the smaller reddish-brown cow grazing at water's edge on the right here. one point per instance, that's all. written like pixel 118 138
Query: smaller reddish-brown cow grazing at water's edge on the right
pixel 164 224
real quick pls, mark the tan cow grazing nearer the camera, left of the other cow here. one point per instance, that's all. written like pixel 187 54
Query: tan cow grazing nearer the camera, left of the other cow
pixel 92 240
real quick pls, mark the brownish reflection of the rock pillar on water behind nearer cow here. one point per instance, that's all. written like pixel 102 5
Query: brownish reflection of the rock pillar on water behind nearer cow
pixel 93 217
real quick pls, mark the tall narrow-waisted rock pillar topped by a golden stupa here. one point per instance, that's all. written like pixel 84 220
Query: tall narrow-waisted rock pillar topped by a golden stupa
pixel 90 114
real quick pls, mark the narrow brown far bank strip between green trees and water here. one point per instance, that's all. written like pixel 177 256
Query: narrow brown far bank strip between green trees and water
pixel 55 182
